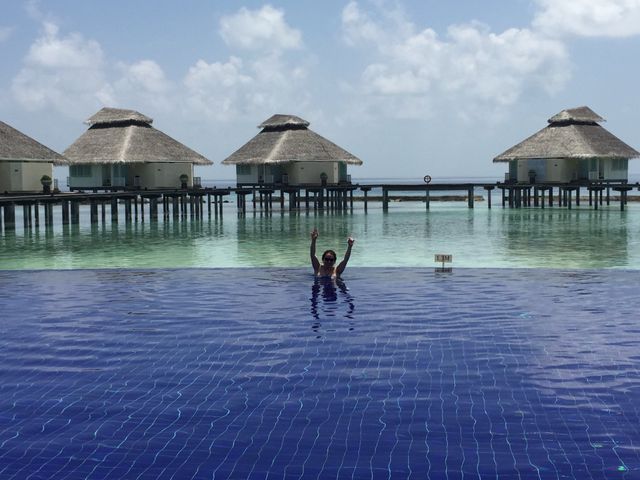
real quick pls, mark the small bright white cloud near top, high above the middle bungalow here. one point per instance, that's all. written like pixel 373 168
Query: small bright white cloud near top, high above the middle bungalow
pixel 264 29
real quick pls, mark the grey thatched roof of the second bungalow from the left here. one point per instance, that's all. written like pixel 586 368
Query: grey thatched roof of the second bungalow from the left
pixel 127 136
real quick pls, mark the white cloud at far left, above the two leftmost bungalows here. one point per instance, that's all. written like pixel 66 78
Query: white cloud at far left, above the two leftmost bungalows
pixel 66 73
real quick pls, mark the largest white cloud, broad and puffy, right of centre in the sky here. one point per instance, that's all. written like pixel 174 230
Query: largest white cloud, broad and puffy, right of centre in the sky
pixel 470 64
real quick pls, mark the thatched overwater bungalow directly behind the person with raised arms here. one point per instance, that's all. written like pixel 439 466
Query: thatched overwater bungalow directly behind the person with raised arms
pixel 287 152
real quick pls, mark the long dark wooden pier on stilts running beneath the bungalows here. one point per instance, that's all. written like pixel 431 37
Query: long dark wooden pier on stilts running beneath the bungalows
pixel 140 206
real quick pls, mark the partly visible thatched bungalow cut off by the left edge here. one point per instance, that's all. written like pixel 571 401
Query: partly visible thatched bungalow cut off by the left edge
pixel 25 164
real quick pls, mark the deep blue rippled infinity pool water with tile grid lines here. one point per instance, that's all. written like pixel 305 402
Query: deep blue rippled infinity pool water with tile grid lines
pixel 266 373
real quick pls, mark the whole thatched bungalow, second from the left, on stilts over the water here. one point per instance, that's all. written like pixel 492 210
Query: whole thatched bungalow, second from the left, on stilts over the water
pixel 122 149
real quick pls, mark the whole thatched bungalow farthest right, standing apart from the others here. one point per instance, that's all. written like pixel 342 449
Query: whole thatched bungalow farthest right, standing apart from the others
pixel 573 147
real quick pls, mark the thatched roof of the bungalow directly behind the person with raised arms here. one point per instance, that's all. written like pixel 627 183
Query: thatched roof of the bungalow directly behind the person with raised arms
pixel 286 138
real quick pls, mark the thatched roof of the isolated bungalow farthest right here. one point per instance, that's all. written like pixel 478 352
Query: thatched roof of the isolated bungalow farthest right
pixel 572 133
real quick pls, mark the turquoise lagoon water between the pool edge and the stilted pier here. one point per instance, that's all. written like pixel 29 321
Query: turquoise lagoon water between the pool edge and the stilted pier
pixel 407 235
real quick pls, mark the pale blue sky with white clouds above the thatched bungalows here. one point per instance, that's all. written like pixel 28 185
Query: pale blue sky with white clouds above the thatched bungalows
pixel 410 87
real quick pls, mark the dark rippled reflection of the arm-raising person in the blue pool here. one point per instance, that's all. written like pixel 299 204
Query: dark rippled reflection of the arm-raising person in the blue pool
pixel 330 300
